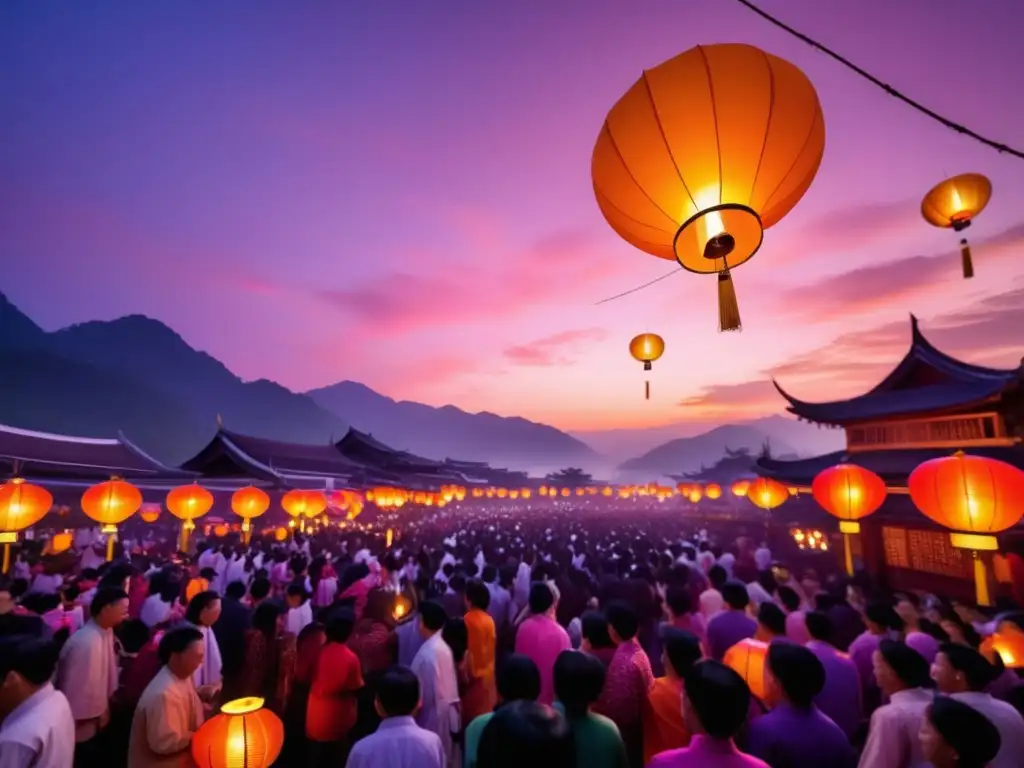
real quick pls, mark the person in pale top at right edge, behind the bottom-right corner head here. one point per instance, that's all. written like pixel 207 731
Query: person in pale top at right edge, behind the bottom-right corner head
pixel 964 674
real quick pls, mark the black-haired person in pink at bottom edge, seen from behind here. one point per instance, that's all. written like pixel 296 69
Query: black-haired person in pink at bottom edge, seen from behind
pixel 715 705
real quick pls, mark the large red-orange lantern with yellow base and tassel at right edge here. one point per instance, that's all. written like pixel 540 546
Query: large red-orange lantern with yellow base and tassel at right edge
pixel 975 498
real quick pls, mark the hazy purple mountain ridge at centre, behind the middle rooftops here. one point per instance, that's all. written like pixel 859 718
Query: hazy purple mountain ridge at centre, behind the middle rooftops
pixel 449 432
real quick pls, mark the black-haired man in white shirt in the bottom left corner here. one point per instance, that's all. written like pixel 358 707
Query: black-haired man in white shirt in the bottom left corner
pixel 38 730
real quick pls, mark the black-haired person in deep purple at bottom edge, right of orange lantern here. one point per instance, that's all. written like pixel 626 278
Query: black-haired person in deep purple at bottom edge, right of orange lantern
pixel 796 734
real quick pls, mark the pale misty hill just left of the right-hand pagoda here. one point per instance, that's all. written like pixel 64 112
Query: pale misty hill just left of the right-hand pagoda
pixel 689 455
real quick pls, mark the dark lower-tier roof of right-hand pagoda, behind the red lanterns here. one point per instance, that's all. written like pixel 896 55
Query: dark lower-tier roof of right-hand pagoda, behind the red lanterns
pixel 893 466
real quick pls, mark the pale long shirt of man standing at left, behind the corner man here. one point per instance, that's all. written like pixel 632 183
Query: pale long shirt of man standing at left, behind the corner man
pixel 88 675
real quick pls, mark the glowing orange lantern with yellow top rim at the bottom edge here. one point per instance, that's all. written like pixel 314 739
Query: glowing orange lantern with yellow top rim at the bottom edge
pixel 243 736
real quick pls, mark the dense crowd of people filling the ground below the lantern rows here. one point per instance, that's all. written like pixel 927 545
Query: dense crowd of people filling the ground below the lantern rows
pixel 493 636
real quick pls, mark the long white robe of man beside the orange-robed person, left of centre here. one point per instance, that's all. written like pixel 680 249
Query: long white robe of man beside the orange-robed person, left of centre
pixel 435 667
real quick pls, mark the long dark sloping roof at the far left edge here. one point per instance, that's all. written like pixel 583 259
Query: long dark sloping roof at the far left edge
pixel 29 453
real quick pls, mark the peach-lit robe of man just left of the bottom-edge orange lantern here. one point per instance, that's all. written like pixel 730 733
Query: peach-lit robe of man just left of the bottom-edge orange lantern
pixel 168 714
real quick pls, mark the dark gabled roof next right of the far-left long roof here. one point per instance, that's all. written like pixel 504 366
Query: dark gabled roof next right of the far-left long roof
pixel 232 454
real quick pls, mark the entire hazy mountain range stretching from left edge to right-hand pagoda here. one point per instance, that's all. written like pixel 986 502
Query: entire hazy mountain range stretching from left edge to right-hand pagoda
pixel 136 375
